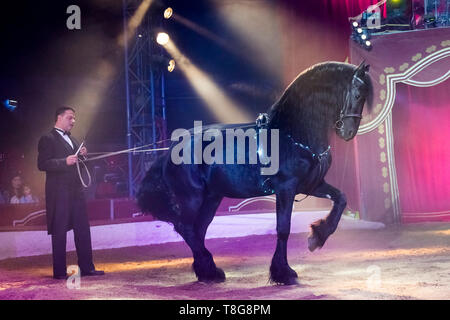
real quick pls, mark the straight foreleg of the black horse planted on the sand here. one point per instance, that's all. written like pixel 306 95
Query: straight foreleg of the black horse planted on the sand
pixel 280 271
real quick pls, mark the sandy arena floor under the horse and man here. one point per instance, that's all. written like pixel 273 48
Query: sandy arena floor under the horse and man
pixel 406 262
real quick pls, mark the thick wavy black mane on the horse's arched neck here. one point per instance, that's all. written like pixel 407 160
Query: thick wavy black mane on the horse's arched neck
pixel 312 102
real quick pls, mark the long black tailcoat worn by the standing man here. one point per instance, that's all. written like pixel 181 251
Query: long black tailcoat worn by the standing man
pixel 62 183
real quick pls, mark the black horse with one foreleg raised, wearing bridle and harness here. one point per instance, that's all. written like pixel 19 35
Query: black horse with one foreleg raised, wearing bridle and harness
pixel 325 98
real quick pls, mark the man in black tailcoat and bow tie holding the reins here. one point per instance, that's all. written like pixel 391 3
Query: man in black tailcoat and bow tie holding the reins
pixel 65 202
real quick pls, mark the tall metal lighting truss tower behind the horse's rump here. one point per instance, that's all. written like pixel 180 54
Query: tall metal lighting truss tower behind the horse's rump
pixel 144 81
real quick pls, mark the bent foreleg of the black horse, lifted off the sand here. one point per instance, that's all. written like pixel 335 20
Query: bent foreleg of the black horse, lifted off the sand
pixel 323 228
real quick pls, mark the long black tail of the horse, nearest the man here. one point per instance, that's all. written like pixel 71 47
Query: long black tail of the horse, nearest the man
pixel 154 196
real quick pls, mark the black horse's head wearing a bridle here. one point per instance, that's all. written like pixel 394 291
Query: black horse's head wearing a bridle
pixel 358 92
